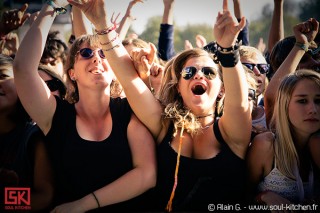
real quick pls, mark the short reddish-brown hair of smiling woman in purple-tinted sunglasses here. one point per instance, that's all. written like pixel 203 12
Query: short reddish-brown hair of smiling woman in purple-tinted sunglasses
pixel 72 92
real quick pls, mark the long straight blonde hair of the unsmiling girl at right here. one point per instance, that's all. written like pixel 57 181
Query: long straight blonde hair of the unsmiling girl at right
pixel 286 155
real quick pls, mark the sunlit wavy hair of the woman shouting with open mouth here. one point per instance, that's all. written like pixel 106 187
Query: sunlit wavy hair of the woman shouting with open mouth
pixel 170 98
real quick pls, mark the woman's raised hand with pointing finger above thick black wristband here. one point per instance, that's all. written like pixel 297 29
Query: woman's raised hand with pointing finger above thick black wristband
pixel 227 28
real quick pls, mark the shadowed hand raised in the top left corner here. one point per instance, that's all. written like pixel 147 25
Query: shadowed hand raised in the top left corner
pixel 13 19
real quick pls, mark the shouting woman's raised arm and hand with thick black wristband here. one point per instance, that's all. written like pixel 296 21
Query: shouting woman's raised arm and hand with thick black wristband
pixel 235 123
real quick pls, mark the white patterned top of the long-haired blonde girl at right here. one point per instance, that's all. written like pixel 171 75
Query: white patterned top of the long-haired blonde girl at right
pixel 286 187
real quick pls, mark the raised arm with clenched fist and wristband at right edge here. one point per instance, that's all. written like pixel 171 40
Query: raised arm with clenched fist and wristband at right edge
pixel 304 32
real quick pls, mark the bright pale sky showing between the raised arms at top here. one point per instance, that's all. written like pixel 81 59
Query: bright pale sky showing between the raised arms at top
pixel 186 11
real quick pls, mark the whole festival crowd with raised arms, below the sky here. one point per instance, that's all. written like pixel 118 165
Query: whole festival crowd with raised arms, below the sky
pixel 109 122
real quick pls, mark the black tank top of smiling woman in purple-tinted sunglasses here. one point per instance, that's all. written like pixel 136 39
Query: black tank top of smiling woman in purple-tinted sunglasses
pixel 81 166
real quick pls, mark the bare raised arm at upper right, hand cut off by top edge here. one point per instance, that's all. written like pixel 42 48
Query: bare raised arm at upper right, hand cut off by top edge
pixel 276 32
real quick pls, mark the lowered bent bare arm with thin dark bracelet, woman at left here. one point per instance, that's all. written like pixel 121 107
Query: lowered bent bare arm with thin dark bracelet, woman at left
pixel 143 175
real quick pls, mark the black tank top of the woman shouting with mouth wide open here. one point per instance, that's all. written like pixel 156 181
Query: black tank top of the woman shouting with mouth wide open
pixel 220 179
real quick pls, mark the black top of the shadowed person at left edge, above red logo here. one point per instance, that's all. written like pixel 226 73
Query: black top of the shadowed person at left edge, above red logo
pixel 17 157
